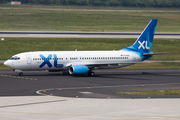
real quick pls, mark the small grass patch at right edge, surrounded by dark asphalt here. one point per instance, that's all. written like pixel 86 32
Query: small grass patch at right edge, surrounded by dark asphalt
pixel 153 92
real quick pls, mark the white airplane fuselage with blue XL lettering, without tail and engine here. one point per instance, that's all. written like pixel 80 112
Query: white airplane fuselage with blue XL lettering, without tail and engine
pixel 61 60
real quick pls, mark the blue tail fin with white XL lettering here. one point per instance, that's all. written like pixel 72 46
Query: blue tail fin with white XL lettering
pixel 144 42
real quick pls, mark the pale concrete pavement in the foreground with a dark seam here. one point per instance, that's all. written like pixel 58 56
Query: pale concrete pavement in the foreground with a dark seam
pixel 50 107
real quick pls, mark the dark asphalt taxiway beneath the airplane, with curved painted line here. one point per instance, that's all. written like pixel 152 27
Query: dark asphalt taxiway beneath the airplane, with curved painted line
pixel 104 85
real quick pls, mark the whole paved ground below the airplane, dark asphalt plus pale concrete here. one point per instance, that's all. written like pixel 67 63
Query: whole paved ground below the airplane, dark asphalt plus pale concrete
pixel 42 95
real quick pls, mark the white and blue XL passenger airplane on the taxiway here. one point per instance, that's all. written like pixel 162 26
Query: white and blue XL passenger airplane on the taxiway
pixel 84 62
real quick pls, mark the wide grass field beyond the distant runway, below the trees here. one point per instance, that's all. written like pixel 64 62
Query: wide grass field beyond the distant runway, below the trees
pixel 28 18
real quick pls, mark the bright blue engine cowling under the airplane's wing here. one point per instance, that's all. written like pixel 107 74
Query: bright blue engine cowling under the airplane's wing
pixel 78 69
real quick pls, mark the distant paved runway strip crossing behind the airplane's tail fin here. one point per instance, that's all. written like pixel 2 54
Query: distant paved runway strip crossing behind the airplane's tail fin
pixel 82 34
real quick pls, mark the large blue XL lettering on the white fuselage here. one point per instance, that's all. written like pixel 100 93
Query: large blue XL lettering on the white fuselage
pixel 46 61
